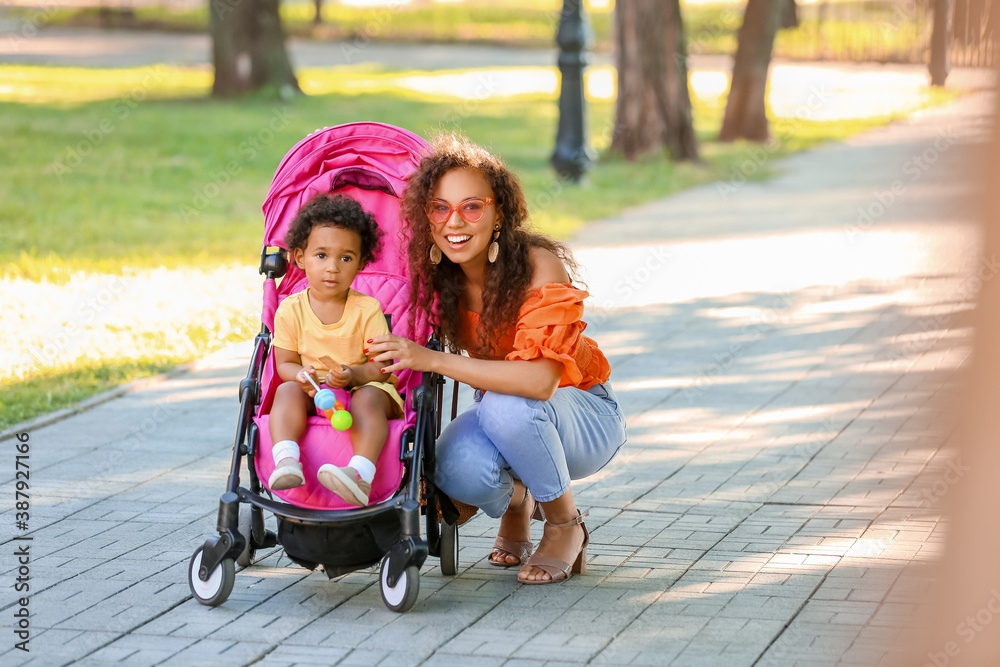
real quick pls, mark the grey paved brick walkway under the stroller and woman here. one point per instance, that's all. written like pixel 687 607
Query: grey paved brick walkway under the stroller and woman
pixel 784 361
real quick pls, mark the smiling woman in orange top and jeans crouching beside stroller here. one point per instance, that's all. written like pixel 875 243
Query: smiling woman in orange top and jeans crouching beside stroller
pixel 544 411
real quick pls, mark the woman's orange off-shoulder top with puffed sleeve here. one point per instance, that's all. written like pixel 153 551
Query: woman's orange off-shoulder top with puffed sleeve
pixel 550 325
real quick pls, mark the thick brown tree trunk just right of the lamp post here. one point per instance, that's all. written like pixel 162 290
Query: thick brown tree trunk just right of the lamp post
pixel 654 105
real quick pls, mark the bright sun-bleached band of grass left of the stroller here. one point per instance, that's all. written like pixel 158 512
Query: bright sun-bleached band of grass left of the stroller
pixel 94 317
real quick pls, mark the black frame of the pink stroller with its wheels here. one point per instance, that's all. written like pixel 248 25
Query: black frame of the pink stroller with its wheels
pixel 394 524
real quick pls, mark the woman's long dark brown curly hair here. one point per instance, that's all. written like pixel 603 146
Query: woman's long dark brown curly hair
pixel 507 280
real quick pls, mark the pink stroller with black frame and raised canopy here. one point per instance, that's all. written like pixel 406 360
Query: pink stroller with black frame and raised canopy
pixel 369 162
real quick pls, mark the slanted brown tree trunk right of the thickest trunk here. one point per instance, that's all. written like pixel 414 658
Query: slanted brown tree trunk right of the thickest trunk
pixel 746 115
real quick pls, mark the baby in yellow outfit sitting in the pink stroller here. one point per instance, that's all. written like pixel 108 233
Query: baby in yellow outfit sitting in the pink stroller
pixel 331 239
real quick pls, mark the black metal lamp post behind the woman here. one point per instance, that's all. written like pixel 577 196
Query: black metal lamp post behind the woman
pixel 573 154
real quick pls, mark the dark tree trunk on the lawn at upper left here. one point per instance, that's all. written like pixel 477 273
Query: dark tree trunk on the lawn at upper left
pixel 248 48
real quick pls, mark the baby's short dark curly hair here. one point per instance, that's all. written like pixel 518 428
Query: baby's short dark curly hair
pixel 337 211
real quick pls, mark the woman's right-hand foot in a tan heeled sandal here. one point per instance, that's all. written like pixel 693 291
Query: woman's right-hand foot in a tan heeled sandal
pixel 562 551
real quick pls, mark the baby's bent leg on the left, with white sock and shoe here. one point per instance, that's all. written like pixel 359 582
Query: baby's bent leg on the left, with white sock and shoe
pixel 289 415
